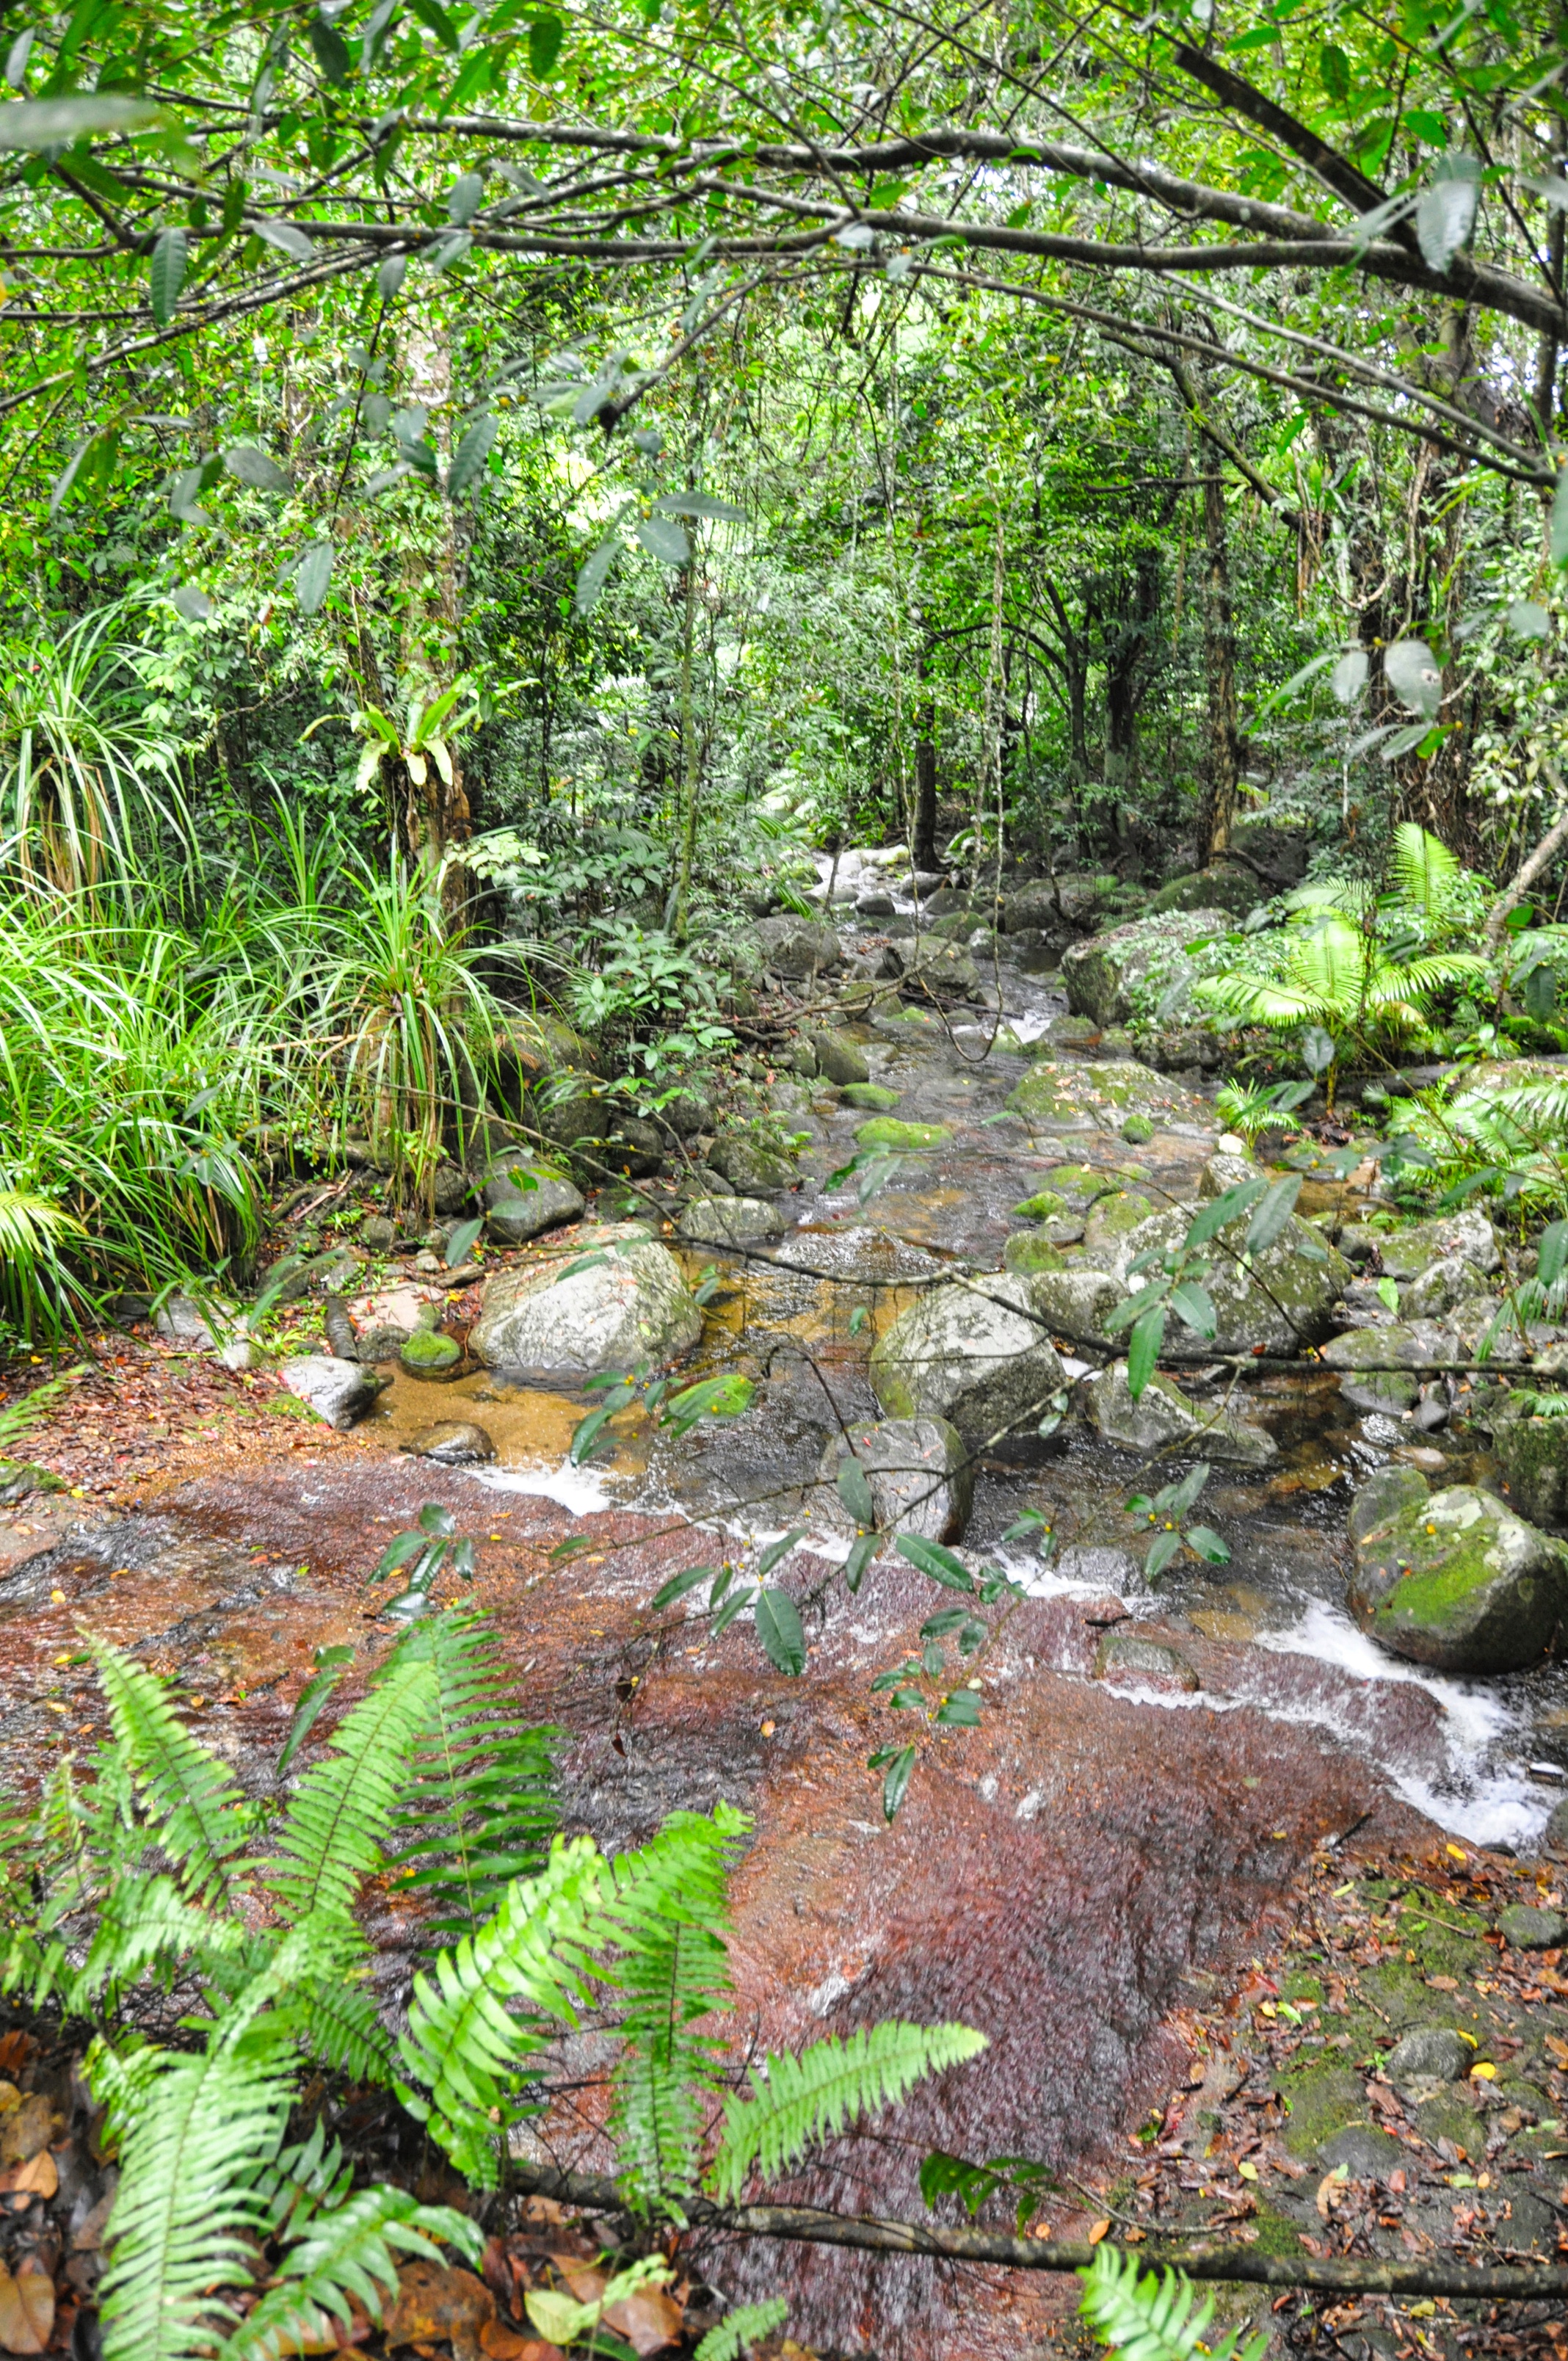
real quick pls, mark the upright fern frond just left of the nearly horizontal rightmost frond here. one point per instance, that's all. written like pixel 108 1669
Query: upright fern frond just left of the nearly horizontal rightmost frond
pixel 672 1975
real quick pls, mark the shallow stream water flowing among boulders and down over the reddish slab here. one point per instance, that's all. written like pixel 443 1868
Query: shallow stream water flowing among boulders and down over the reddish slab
pixel 1061 1873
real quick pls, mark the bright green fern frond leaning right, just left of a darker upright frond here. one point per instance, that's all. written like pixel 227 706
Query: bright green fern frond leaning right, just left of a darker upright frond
pixel 341 1814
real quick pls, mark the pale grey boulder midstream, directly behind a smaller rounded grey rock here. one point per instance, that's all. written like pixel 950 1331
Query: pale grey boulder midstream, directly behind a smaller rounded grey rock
pixel 974 1354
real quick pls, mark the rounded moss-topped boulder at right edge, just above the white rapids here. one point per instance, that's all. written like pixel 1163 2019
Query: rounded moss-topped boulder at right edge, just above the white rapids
pixel 1461 1583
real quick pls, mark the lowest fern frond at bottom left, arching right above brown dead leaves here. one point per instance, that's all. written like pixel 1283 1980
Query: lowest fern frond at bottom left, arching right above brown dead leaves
pixel 346 2251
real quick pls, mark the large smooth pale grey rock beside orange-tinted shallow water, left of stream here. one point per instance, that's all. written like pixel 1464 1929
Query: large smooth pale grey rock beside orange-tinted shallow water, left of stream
pixel 618 1314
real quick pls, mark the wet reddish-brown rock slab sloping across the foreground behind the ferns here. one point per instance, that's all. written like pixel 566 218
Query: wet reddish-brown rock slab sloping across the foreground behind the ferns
pixel 1050 1881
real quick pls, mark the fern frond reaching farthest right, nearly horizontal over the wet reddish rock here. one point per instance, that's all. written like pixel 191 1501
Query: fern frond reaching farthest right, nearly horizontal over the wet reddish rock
pixel 830 2086
